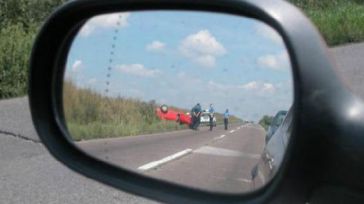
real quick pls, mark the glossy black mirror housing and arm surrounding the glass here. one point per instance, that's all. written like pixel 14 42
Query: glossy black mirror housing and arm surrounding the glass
pixel 321 123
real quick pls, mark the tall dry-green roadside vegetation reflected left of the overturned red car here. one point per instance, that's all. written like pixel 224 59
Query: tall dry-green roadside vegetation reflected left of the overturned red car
pixel 90 115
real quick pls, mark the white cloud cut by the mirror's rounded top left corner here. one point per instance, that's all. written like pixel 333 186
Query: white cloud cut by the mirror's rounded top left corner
pixel 105 21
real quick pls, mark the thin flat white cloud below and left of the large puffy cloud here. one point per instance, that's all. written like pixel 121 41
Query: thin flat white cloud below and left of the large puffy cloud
pixel 138 70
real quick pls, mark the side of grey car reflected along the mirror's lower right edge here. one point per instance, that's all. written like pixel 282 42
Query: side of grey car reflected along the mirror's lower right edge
pixel 274 150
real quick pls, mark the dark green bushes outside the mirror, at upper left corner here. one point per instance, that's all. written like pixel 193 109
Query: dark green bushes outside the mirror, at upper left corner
pixel 19 22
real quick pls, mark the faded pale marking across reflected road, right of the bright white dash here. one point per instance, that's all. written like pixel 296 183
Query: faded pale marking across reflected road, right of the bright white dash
pixel 224 152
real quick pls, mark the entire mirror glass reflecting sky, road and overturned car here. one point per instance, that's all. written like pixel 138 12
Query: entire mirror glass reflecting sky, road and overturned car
pixel 195 98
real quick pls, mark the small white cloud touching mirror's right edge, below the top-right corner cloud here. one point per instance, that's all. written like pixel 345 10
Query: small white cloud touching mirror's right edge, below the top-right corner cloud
pixel 276 62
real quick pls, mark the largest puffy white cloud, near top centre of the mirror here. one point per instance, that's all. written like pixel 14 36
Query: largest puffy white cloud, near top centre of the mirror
pixel 202 48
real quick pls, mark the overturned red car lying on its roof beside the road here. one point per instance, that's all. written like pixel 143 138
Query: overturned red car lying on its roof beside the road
pixel 165 114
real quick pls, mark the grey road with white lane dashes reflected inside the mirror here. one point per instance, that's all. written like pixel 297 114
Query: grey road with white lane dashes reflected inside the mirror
pixel 218 160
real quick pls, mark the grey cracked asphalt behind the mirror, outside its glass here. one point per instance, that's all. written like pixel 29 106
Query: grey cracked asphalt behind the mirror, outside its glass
pixel 28 174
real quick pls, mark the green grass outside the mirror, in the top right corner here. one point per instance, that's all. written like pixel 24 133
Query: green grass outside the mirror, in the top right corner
pixel 339 21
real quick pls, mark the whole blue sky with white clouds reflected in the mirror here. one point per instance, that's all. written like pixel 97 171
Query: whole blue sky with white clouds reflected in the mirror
pixel 181 58
